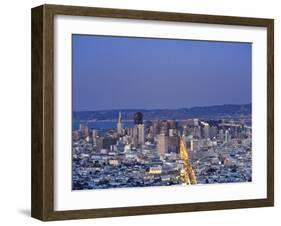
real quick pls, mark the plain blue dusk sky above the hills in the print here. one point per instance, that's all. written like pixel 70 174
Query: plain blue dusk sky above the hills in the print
pixel 144 73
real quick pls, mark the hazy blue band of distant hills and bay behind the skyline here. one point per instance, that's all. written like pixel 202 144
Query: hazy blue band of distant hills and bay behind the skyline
pixel 208 112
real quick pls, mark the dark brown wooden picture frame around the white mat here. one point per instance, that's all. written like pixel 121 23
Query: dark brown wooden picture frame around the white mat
pixel 42 203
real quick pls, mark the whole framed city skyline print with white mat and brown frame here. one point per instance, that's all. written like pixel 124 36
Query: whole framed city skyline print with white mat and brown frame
pixel 141 112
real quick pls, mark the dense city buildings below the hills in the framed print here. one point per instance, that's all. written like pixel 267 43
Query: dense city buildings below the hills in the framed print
pixel 149 153
